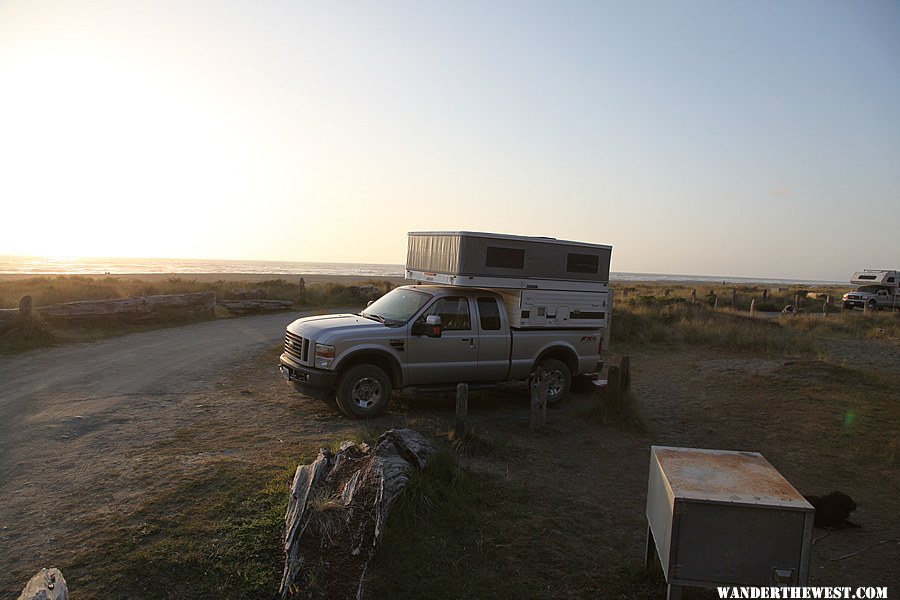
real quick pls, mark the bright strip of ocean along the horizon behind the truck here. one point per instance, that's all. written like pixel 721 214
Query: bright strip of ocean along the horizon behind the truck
pixel 41 265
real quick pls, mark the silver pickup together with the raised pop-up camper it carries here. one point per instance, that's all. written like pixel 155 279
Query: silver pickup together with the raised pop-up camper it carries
pixel 485 308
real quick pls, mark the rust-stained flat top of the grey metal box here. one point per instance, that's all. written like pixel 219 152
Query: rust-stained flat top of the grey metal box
pixel 725 476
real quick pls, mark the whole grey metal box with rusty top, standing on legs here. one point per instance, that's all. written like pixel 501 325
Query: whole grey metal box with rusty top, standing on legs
pixel 718 517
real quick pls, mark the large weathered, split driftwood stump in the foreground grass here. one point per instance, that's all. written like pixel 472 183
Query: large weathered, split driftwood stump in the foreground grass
pixel 337 511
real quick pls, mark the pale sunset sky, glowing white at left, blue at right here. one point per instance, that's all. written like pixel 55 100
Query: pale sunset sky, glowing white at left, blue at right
pixel 756 139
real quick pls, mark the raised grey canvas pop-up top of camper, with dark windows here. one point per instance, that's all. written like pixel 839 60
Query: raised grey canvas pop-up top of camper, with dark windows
pixel 506 261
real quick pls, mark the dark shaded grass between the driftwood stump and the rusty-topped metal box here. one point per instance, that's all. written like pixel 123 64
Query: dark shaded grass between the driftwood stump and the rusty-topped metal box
pixel 455 533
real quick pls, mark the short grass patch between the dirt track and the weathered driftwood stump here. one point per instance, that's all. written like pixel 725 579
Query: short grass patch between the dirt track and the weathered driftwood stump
pixel 215 536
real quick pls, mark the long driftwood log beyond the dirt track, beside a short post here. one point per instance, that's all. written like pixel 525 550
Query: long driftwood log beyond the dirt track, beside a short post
pixel 138 308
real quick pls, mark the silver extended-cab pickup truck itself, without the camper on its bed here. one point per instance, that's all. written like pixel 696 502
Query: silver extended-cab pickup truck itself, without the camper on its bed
pixel 427 336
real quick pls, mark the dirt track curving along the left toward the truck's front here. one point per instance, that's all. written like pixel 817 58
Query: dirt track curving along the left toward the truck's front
pixel 76 421
